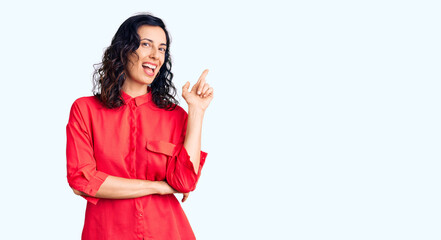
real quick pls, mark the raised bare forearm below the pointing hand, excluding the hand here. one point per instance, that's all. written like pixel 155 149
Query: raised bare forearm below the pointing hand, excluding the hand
pixel 192 142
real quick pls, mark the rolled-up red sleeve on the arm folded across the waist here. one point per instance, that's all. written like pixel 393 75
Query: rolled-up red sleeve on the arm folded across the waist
pixel 82 174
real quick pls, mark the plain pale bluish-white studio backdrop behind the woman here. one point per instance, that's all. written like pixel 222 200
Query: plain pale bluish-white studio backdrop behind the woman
pixel 325 122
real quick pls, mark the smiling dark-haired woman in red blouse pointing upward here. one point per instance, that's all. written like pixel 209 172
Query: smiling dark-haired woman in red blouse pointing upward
pixel 130 146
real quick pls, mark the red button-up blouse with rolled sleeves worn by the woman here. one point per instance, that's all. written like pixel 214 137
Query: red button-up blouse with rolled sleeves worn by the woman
pixel 139 141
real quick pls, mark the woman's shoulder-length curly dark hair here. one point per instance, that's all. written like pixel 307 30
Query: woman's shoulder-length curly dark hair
pixel 110 74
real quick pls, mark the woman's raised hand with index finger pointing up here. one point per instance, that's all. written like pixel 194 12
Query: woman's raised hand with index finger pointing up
pixel 200 95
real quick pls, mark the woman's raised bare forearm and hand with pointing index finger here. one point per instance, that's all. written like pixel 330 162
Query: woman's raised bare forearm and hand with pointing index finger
pixel 198 100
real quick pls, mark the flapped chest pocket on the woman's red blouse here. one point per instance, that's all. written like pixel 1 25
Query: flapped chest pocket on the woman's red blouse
pixel 158 153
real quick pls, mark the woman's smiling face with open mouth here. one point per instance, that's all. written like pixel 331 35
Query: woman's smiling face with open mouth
pixel 142 69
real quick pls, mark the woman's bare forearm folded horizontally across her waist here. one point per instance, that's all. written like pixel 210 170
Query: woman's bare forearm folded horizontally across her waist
pixel 124 188
